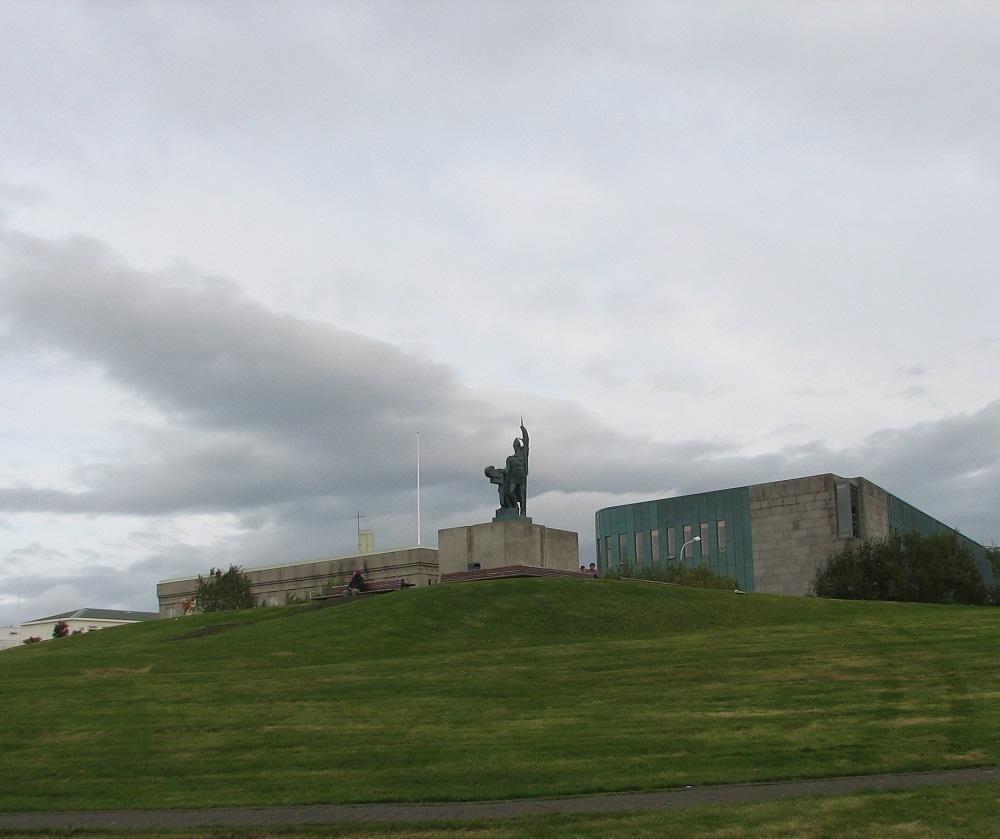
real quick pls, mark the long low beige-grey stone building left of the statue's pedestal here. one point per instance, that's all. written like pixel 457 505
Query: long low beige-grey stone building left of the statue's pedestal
pixel 274 585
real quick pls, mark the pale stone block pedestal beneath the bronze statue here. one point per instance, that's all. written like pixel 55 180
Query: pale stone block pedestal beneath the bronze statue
pixel 504 542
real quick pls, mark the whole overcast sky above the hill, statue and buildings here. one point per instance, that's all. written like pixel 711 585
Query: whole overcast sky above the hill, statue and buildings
pixel 248 250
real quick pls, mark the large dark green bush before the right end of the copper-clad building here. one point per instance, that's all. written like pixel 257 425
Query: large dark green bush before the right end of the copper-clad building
pixel 904 567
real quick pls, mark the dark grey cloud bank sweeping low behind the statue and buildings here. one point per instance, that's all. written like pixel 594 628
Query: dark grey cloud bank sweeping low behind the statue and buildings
pixel 294 424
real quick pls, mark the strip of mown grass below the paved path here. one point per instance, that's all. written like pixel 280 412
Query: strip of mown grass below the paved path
pixel 959 812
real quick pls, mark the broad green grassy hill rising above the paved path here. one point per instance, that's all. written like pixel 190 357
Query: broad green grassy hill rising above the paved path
pixel 505 689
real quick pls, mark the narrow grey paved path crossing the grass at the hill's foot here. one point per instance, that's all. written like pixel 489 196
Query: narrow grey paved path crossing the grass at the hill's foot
pixel 670 799
